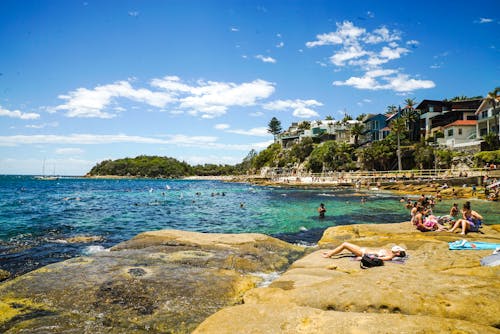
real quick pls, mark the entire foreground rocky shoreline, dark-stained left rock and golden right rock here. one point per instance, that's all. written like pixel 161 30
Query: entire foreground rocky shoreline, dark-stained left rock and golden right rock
pixel 182 282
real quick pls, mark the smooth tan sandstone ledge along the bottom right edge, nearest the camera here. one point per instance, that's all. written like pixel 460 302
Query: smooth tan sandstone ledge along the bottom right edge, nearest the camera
pixel 290 318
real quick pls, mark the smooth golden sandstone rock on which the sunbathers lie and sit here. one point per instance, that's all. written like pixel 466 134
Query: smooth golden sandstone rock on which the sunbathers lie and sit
pixel 436 290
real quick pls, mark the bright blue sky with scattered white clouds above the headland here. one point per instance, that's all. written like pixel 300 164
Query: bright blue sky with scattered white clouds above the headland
pixel 84 81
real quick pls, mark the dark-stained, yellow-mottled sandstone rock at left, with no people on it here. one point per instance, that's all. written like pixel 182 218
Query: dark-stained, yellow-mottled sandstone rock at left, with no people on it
pixel 164 281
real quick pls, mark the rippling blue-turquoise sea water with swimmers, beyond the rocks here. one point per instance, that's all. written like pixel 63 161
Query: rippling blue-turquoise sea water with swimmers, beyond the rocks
pixel 48 221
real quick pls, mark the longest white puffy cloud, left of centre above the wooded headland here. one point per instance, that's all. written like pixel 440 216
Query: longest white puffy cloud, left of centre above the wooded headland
pixel 206 98
